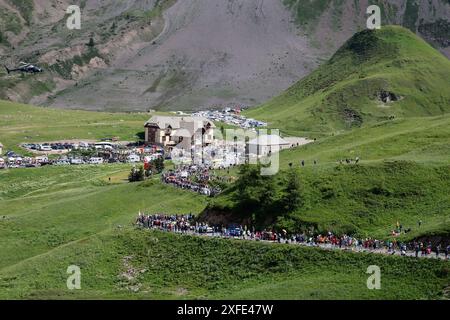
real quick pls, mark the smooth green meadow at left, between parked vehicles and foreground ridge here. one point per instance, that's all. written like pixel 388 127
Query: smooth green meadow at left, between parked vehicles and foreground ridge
pixel 49 207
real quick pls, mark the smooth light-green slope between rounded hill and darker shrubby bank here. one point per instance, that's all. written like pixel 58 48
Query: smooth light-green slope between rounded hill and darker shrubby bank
pixel 424 140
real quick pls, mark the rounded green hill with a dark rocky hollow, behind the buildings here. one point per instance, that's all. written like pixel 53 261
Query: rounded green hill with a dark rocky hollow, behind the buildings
pixel 351 89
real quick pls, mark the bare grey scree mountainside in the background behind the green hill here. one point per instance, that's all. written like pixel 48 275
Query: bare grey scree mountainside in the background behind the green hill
pixel 198 53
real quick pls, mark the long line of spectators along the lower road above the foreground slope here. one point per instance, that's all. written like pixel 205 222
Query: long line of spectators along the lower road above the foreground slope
pixel 185 224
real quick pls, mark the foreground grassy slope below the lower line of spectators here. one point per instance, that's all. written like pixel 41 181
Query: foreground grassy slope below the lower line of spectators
pixel 125 263
